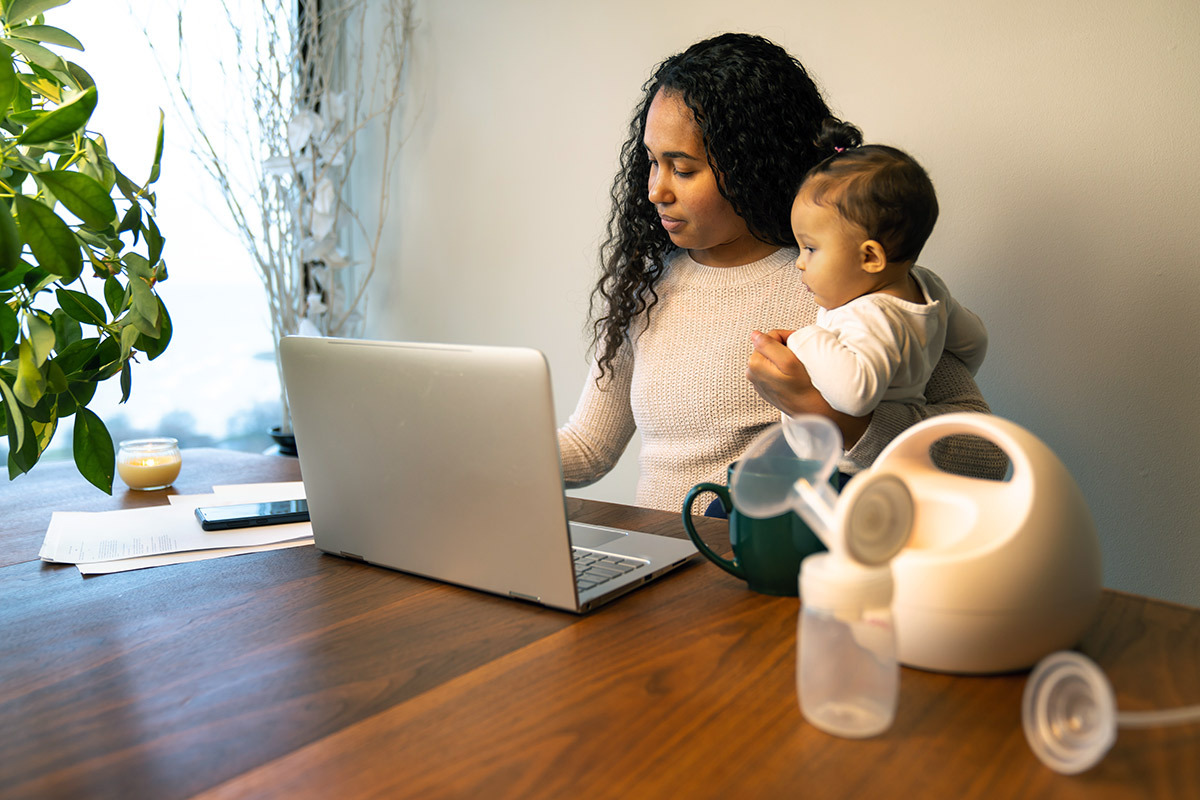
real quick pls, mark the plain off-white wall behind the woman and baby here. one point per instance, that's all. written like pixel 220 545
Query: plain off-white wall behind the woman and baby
pixel 1064 139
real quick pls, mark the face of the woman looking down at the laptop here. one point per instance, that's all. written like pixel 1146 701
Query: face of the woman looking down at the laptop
pixel 685 190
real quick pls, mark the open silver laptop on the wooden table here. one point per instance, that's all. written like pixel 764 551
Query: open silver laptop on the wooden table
pixel 442 461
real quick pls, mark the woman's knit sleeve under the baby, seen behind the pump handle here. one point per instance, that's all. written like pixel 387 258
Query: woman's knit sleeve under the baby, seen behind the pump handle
pixel 950 389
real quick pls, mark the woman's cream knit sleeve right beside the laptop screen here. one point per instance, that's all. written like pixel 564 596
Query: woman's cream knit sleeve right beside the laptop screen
pixel 598 432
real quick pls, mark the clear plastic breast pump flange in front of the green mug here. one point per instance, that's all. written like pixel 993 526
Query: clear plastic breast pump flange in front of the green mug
pixel 797 456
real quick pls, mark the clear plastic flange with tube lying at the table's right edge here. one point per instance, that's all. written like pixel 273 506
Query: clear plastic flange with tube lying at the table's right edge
pixel 1071 718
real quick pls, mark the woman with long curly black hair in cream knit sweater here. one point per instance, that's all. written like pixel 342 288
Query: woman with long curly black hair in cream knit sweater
pixel 699 255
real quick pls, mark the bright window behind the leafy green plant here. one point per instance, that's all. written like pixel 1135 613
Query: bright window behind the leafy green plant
pixel 217 386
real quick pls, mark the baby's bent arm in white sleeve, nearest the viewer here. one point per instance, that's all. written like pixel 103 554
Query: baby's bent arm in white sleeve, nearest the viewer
pixel 853 362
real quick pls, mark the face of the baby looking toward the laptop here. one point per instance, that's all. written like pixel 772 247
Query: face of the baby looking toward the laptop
pixel 831 254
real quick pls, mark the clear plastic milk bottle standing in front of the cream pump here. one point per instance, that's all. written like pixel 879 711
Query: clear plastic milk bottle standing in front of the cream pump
pixel 847 671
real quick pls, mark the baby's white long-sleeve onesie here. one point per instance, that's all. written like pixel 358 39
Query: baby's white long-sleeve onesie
pixel 883 348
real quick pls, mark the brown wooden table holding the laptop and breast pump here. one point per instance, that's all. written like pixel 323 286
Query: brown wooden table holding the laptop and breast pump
pixel 298 675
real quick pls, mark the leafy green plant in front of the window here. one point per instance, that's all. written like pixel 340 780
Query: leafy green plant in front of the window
pixel 64 330
